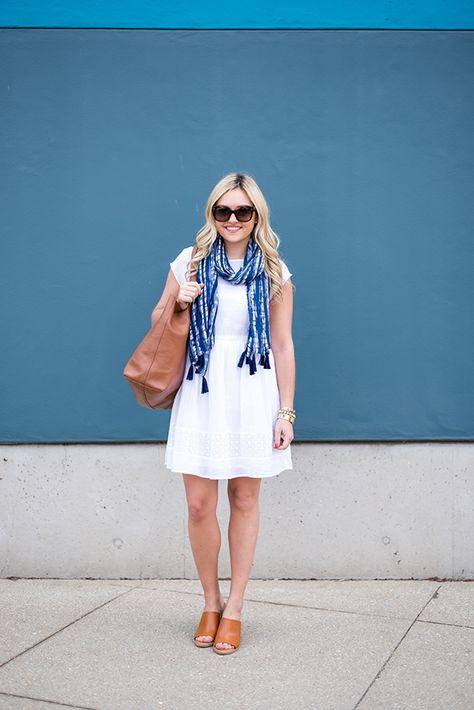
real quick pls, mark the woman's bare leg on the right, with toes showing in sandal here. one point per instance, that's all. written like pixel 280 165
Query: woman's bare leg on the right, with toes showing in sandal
pixel 244 524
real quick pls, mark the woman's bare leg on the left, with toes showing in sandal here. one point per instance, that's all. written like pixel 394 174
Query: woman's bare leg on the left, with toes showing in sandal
pixel 205 537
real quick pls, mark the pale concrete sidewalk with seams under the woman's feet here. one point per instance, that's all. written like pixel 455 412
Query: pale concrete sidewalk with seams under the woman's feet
pixel 126 644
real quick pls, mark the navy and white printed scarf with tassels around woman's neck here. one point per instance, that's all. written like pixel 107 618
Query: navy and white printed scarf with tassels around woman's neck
pixel 204 308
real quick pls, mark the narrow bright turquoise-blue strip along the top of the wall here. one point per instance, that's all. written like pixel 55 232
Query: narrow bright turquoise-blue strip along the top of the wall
pixel 388 14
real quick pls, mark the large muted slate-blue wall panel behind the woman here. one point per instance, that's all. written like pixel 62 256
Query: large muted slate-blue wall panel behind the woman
pixel 362 142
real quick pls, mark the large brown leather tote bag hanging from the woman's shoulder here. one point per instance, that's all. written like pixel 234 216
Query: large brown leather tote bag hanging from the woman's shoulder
pixel 155 371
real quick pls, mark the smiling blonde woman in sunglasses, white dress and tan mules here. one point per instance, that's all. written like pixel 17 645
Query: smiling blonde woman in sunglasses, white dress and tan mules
pixel 233 415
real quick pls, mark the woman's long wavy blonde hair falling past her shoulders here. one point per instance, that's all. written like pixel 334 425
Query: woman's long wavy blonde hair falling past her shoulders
pixel 266 238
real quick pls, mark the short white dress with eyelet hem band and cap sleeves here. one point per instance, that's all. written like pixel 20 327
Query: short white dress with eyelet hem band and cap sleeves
pixel 228 431
